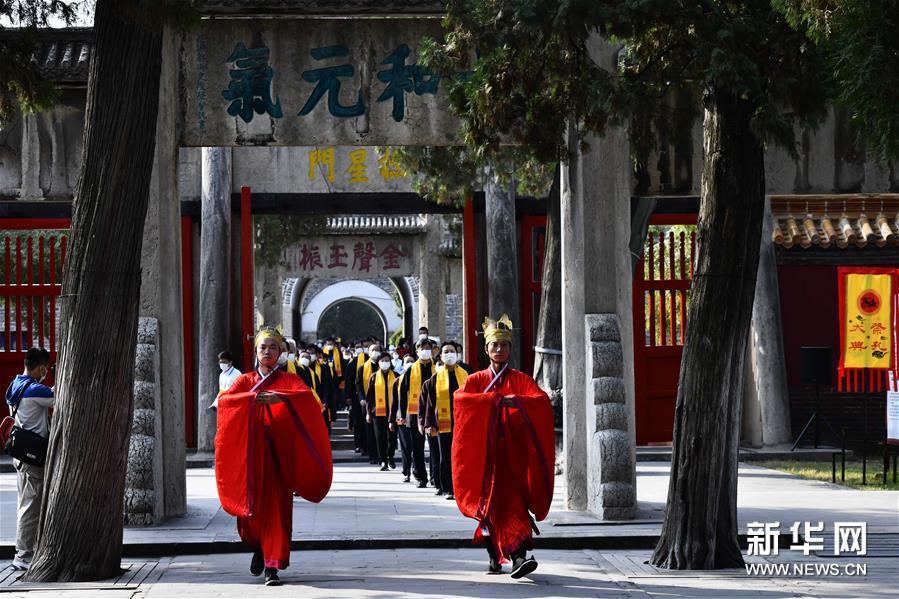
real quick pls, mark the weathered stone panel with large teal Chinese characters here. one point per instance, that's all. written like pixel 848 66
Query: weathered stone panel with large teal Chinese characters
pixel 301 82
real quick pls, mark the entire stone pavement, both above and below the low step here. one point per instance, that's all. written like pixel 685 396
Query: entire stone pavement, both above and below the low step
pixel 375 536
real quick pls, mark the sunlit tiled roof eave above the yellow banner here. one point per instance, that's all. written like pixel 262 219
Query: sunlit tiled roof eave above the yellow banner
pixel 837 221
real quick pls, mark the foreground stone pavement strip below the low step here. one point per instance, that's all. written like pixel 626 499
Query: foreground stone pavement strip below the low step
pixel 450 573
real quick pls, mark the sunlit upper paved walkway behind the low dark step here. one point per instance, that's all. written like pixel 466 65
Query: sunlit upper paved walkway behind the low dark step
pixel 368 508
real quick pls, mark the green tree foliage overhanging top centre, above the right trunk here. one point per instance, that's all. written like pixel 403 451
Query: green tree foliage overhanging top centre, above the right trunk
pixel 530 65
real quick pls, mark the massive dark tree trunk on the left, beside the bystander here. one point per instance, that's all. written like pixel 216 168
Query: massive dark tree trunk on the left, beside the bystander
pixel 80 535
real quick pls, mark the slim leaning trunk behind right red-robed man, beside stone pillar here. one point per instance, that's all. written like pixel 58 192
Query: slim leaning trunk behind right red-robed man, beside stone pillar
pixel 548 364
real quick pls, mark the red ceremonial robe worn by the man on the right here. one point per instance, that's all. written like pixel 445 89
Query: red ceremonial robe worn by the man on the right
pixel 503 457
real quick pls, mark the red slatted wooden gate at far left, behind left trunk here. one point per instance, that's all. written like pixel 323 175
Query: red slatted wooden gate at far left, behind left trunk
pixel 33 253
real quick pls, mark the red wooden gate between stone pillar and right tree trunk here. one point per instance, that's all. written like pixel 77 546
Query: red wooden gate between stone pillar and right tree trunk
pixel 661 297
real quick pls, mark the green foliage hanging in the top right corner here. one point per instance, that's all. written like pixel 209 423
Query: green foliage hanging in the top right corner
pixel 860 39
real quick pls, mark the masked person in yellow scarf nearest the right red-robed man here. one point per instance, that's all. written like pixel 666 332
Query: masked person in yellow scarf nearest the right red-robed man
pixel 437 399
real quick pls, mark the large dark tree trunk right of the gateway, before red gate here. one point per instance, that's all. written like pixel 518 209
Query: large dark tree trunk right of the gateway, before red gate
pixel 700 529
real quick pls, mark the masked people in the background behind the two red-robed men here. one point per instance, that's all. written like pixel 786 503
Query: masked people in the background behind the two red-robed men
pixel 396 400
